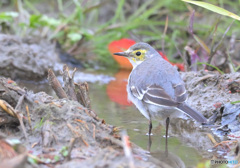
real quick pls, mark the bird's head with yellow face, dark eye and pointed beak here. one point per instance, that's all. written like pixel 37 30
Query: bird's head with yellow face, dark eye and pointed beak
pixel 138 52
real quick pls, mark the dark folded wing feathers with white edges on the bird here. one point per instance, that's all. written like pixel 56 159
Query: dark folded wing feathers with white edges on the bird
pixel 156 95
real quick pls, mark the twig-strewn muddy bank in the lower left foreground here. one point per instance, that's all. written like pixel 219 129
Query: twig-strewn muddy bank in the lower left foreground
pixel 63 133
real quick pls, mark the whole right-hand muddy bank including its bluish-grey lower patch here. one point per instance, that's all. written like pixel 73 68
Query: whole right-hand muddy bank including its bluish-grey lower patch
pixel 217 97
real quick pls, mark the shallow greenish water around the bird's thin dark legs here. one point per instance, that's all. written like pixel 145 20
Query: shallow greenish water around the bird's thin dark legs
pixel 129 118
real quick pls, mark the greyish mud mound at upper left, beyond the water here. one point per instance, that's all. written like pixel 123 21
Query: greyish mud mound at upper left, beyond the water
pixel 27 59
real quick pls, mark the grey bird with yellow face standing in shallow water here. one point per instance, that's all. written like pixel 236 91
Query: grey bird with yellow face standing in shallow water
pixel 156 87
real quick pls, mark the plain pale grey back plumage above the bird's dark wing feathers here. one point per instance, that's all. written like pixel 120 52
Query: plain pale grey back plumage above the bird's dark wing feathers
pixel 158 73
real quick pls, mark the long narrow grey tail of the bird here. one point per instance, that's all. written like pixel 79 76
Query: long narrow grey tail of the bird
pixel 192 113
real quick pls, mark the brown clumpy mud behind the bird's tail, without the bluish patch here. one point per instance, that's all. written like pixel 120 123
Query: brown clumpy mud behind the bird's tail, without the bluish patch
pixel 209 91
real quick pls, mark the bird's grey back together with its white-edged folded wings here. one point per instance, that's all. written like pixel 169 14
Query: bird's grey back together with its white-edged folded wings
pixel 160 84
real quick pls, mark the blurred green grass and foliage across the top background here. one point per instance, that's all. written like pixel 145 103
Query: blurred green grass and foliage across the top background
pixel 84 28
